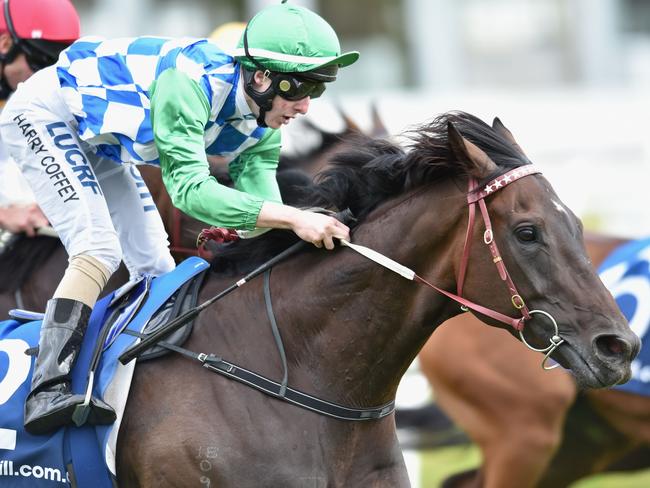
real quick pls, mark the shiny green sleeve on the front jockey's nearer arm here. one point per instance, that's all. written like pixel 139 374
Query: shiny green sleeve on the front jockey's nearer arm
pixel 179 114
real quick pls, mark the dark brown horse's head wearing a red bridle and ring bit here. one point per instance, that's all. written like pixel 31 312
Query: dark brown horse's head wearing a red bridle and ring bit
pixel 540 241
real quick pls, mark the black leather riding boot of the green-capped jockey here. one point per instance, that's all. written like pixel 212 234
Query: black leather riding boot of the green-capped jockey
pixel 50 404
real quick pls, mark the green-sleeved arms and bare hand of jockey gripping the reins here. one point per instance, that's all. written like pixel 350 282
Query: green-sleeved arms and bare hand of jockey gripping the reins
pixel 179 114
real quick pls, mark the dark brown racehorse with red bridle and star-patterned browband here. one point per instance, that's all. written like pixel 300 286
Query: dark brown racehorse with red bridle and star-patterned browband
pixel 351 327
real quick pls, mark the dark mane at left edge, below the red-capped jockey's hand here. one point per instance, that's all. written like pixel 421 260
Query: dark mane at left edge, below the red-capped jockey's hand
pixel 22 258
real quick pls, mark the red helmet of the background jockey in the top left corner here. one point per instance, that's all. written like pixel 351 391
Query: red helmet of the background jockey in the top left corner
pixel 49 20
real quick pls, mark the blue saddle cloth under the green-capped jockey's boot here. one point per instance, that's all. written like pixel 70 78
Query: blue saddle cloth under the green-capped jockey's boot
pixel 87 453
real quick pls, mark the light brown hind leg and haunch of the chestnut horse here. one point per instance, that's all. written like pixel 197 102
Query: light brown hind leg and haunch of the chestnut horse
pixel 509 406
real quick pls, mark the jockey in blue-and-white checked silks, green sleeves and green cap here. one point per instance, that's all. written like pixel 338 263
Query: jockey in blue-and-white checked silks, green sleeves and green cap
pixel 79 129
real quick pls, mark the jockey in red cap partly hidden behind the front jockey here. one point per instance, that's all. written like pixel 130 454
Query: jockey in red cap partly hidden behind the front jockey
pixel 32 34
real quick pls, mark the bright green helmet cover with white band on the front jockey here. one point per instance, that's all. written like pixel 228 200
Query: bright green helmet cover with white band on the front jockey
pixel 291 39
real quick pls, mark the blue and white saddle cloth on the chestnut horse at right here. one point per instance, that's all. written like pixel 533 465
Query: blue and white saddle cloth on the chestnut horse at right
pixel 626 273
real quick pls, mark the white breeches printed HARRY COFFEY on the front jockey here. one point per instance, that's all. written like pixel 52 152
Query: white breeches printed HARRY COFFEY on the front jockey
pixel 98 207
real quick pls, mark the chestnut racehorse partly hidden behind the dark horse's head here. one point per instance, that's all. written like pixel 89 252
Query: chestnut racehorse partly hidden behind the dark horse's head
pixel 520 422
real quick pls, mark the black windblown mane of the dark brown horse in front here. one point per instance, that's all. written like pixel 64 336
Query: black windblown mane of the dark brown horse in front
pixel 368 171
